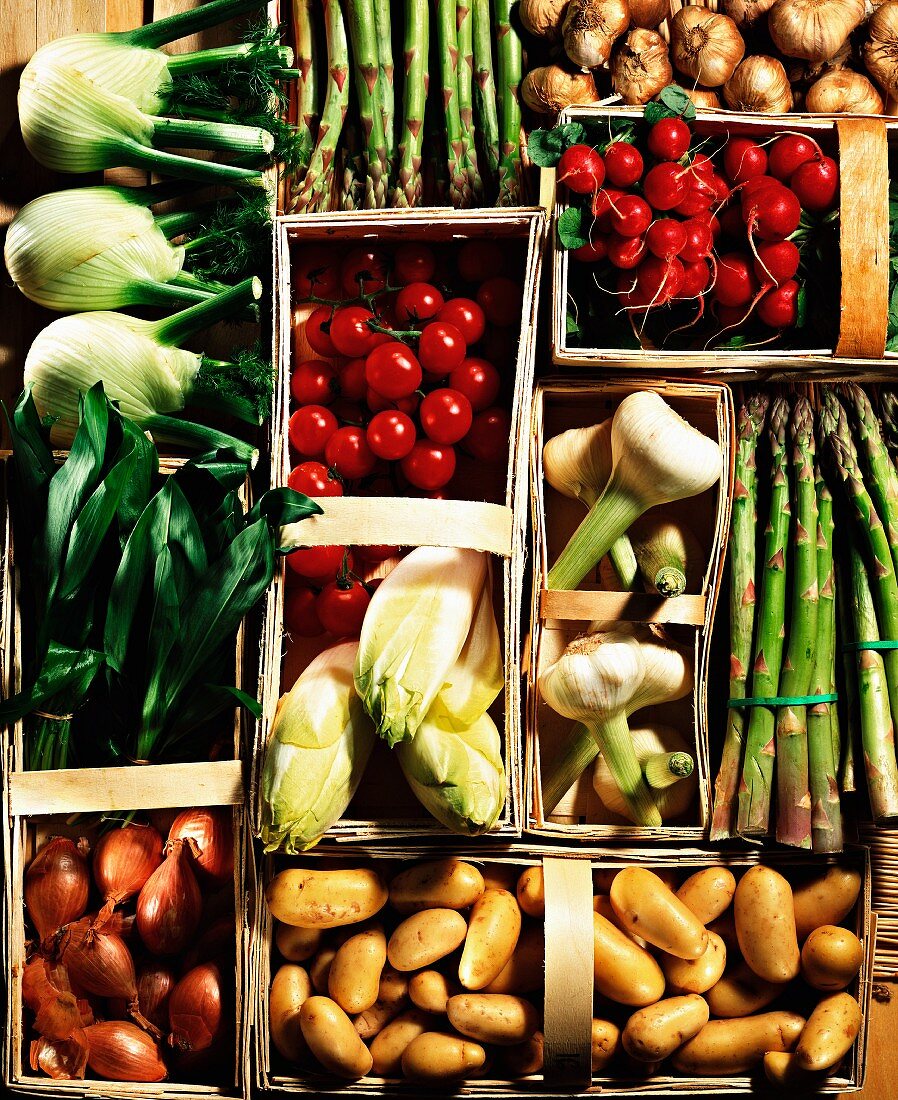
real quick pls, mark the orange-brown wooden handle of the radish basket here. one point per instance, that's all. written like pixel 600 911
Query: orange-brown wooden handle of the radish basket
pixel 863 238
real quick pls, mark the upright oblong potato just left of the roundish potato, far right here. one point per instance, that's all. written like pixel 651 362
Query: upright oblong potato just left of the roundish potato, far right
pixel 765 925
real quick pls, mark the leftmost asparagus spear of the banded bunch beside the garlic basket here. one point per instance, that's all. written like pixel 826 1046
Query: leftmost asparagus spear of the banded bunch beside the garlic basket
pixel 742 608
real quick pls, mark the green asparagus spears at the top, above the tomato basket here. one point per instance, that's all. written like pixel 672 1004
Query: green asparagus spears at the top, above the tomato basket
pixel 364 140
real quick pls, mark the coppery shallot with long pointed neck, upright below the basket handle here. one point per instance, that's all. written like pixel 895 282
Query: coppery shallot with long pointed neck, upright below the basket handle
pixel 170 906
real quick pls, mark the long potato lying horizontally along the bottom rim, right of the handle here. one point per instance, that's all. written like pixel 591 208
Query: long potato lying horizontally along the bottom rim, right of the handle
pixel 725 1048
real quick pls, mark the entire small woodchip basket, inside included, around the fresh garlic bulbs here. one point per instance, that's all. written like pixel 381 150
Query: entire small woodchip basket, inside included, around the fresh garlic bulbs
pixel 558 617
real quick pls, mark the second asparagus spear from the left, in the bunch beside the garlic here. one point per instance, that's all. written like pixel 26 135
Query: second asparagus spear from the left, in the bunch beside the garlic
pixel 758 774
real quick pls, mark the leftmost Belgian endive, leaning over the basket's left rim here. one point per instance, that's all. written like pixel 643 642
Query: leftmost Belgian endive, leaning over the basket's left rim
pixel 319 750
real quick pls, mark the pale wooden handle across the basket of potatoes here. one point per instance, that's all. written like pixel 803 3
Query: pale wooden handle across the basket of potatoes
pixel 570 974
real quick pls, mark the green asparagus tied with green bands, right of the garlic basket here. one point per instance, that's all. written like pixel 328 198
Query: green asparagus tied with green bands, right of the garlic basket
pixel 814 610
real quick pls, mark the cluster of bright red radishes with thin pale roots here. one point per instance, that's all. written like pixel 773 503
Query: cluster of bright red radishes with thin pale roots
pixel 680 226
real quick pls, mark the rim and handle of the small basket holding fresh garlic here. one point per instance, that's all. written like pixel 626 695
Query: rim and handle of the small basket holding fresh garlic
pixel 696 610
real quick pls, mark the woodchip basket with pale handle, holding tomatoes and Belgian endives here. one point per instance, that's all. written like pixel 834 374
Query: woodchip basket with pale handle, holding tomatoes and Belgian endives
pixel 495 527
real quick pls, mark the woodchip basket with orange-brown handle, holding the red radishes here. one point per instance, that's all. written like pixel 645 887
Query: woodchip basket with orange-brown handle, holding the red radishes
pixel 862 147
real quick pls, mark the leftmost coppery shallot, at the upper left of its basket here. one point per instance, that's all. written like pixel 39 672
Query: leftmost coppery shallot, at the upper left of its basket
pixel 58 884
